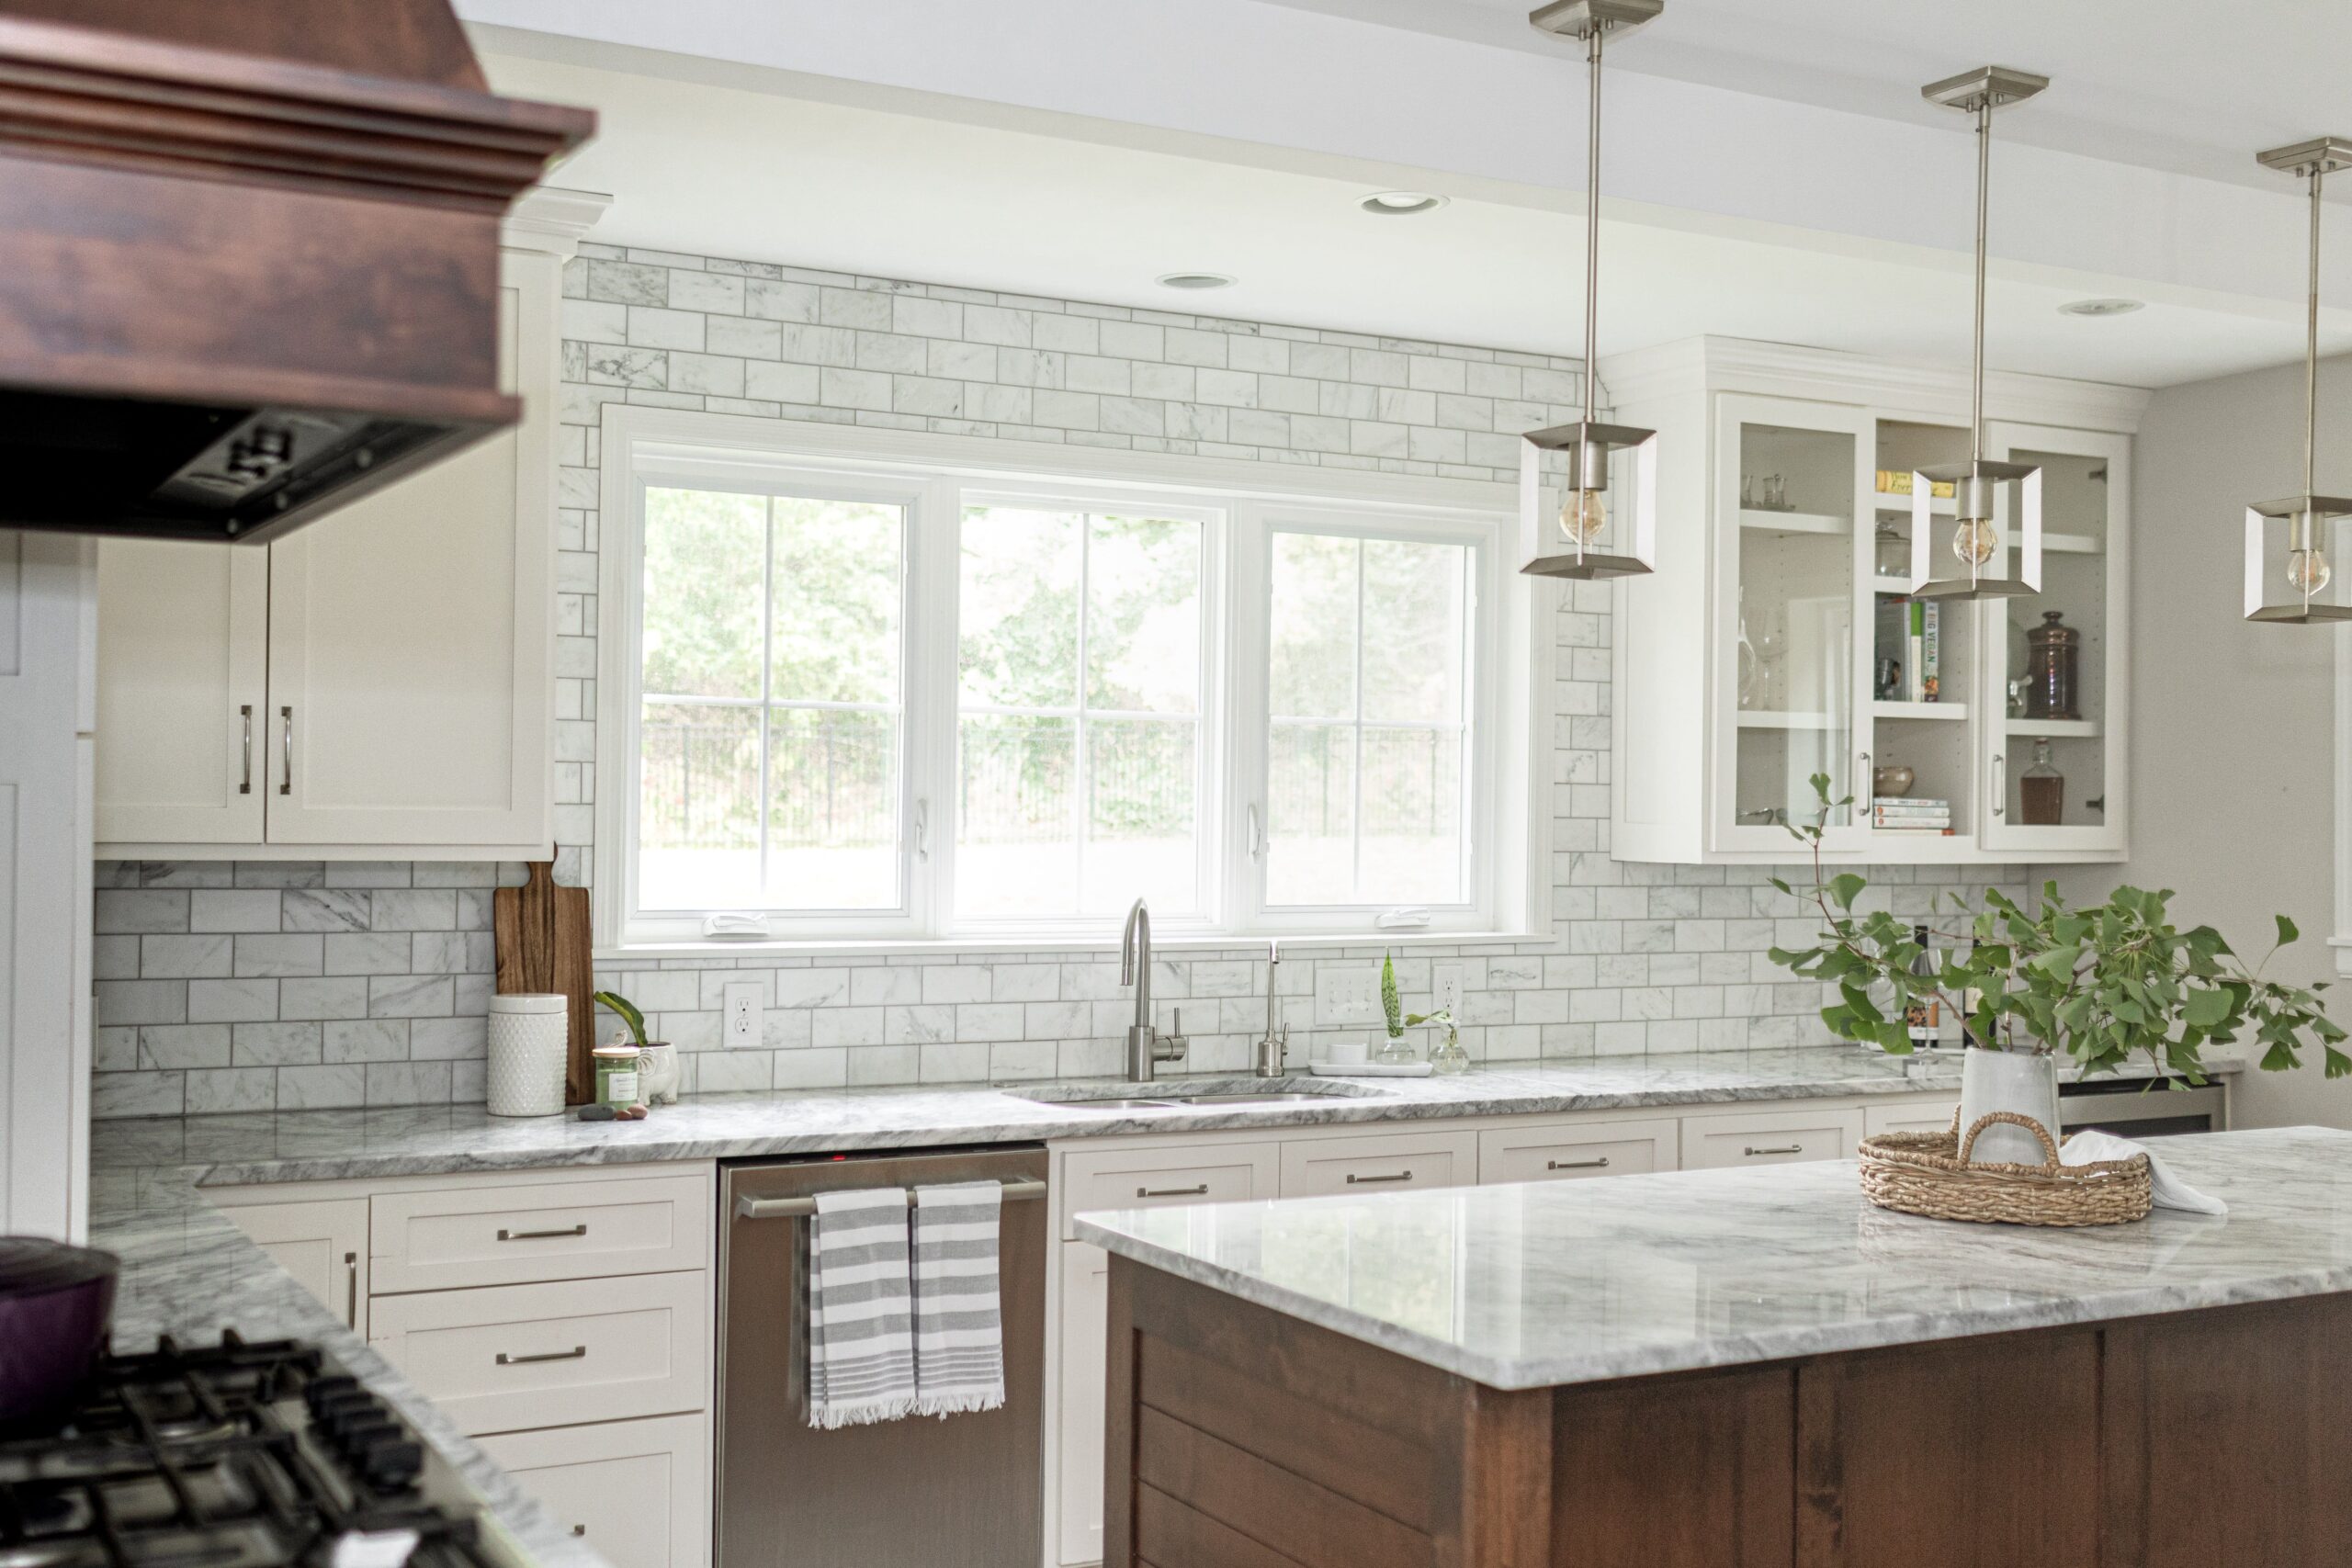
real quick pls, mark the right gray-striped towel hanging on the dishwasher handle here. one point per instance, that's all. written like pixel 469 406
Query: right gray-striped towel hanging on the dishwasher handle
pixel 958 1322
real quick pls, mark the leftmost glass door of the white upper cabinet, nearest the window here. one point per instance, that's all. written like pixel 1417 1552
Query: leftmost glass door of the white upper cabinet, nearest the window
pixel 1796 554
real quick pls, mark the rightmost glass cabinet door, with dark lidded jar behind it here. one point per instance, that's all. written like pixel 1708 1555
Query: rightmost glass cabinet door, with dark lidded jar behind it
pixel 2054 772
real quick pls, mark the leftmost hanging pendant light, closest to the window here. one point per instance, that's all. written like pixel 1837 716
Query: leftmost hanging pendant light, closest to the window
pixel 1584 514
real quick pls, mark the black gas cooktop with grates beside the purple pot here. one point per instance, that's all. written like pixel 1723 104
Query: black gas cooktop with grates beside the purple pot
pixel 236 1456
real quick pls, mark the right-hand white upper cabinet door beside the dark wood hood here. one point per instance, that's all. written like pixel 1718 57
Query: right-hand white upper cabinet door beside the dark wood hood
pixel 410 636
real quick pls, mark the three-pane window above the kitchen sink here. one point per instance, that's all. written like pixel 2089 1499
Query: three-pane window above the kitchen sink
pixel 930 706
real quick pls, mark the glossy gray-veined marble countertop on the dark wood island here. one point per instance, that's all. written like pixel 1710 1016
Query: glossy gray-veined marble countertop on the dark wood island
pixel 1579 1282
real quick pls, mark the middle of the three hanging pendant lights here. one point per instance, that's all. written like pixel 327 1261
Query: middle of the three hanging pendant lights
pixel 1979 551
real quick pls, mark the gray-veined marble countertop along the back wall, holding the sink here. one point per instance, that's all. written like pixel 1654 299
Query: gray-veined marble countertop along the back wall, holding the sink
pixel 443 1139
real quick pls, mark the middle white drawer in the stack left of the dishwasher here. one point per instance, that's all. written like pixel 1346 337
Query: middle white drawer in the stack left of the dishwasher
pixel 516 1358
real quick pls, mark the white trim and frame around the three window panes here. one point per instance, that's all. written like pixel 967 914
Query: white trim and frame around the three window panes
pixel 1518 706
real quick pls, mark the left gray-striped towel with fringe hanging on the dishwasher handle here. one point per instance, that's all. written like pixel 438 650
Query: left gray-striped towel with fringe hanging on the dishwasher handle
pixel 862 1339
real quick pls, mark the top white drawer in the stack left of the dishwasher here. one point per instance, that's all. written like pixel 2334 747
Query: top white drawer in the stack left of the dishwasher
pixel 519 1235
